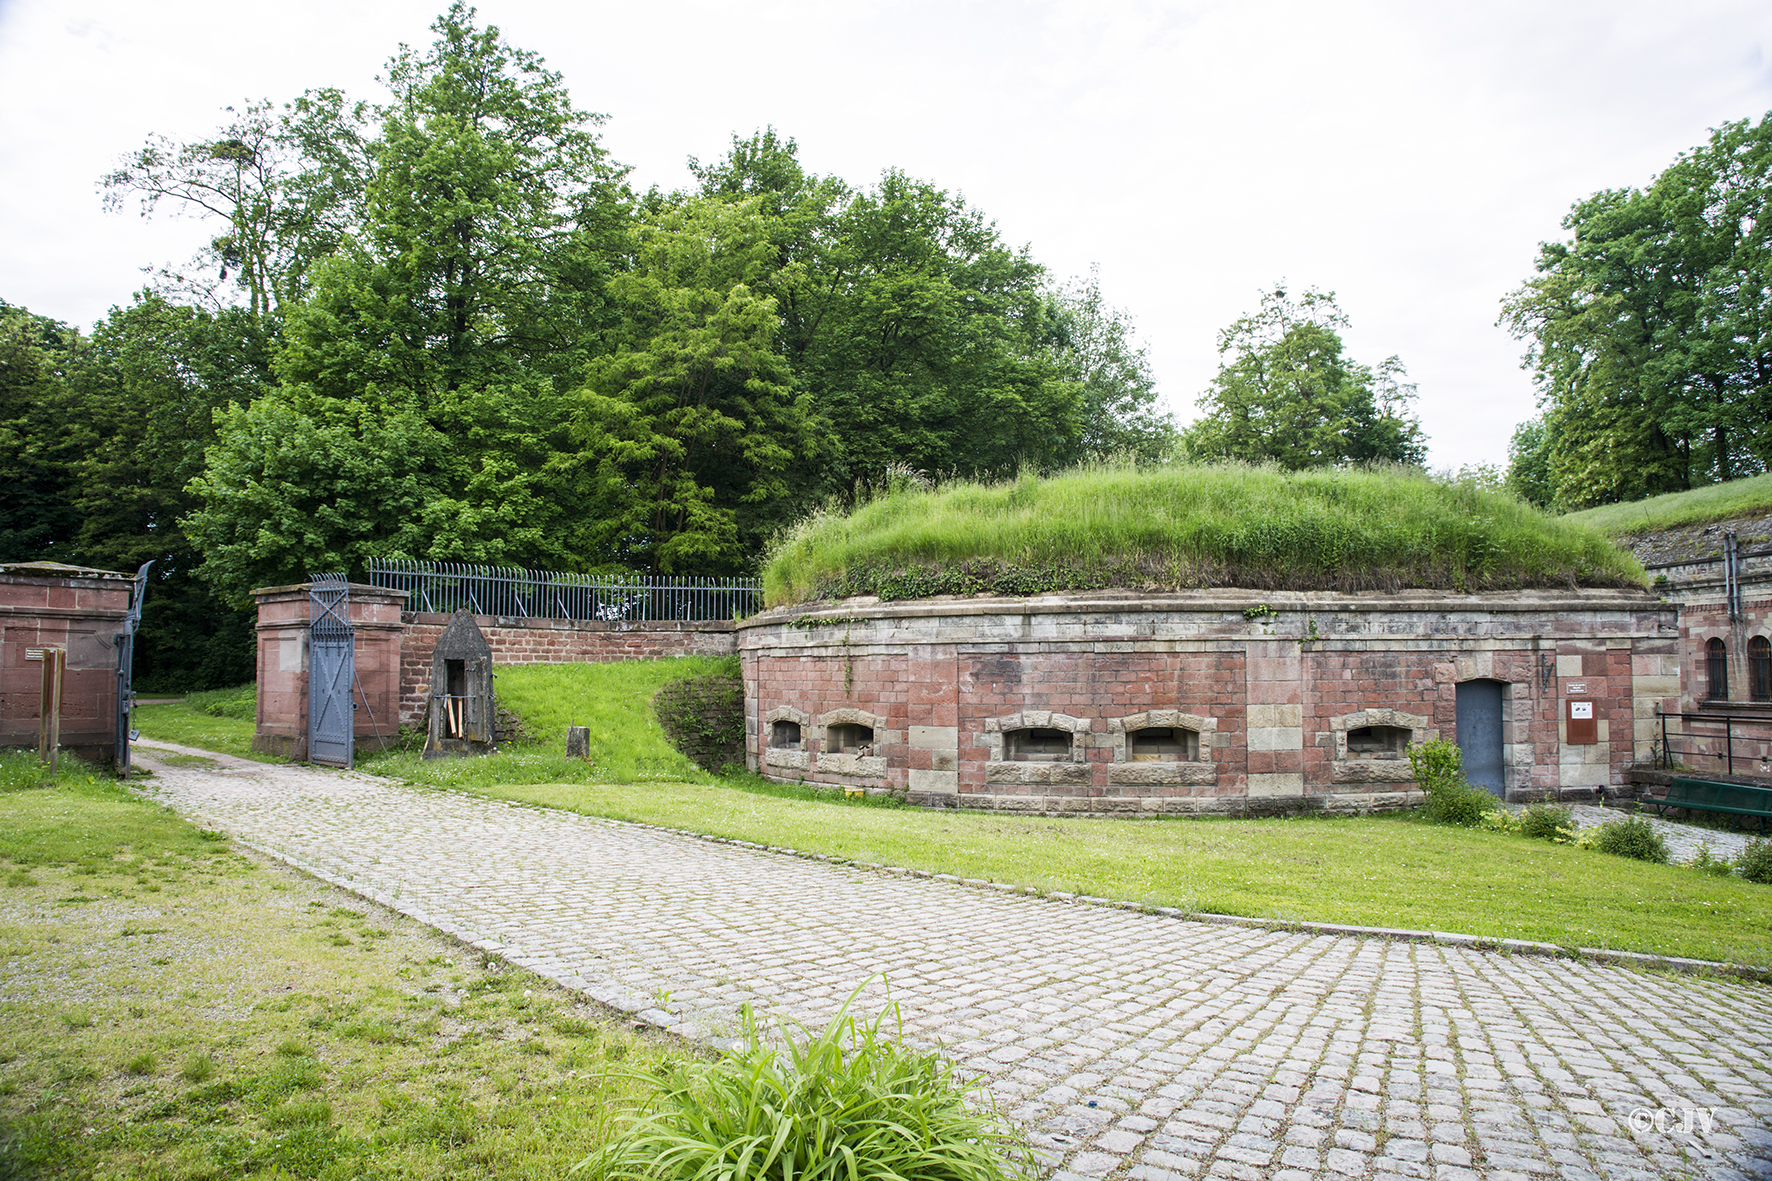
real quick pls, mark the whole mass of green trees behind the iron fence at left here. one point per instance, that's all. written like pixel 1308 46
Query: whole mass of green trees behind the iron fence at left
pixel 444 325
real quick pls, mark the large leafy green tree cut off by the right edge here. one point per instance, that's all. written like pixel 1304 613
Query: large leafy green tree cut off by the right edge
pixel 1651 332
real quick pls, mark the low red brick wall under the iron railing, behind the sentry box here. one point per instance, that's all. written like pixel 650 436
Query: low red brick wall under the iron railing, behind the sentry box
pixel 552 643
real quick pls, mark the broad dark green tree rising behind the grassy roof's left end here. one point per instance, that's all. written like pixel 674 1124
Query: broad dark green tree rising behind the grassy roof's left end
pixel 919 334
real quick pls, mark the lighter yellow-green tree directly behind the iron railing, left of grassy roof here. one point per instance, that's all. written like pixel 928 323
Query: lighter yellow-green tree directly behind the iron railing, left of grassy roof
pixel 692 423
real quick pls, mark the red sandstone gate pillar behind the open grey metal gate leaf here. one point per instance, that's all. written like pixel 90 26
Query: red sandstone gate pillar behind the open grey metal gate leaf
pixel 284 668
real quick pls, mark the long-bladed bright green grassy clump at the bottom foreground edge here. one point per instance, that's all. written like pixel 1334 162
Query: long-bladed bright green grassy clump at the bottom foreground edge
pixel 848 1104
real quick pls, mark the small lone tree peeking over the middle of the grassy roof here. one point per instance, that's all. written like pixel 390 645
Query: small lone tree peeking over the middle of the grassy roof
pixel 1289 395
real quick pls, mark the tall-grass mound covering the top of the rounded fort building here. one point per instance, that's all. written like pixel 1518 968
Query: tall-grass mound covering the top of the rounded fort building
pixel 1190 528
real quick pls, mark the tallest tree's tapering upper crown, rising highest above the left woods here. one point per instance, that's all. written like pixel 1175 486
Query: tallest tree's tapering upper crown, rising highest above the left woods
pixel 490 228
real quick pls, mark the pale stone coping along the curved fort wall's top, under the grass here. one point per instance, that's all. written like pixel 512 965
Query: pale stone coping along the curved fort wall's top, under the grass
pixel 1195 602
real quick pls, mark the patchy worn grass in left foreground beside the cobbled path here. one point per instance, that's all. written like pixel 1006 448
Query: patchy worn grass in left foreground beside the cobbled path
pixel 175 1010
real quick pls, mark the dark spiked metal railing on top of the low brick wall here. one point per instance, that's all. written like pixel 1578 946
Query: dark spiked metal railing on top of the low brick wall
pixel 548 595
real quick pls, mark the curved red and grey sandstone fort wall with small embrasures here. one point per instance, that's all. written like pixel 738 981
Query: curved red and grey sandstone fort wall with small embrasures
pixel 1216 701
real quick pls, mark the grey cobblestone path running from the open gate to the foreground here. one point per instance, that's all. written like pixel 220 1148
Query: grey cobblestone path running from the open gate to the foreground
pixel 1130 1045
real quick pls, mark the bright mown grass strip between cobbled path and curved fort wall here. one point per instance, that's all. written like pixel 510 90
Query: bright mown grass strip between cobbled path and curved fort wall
pixel 1387 872
